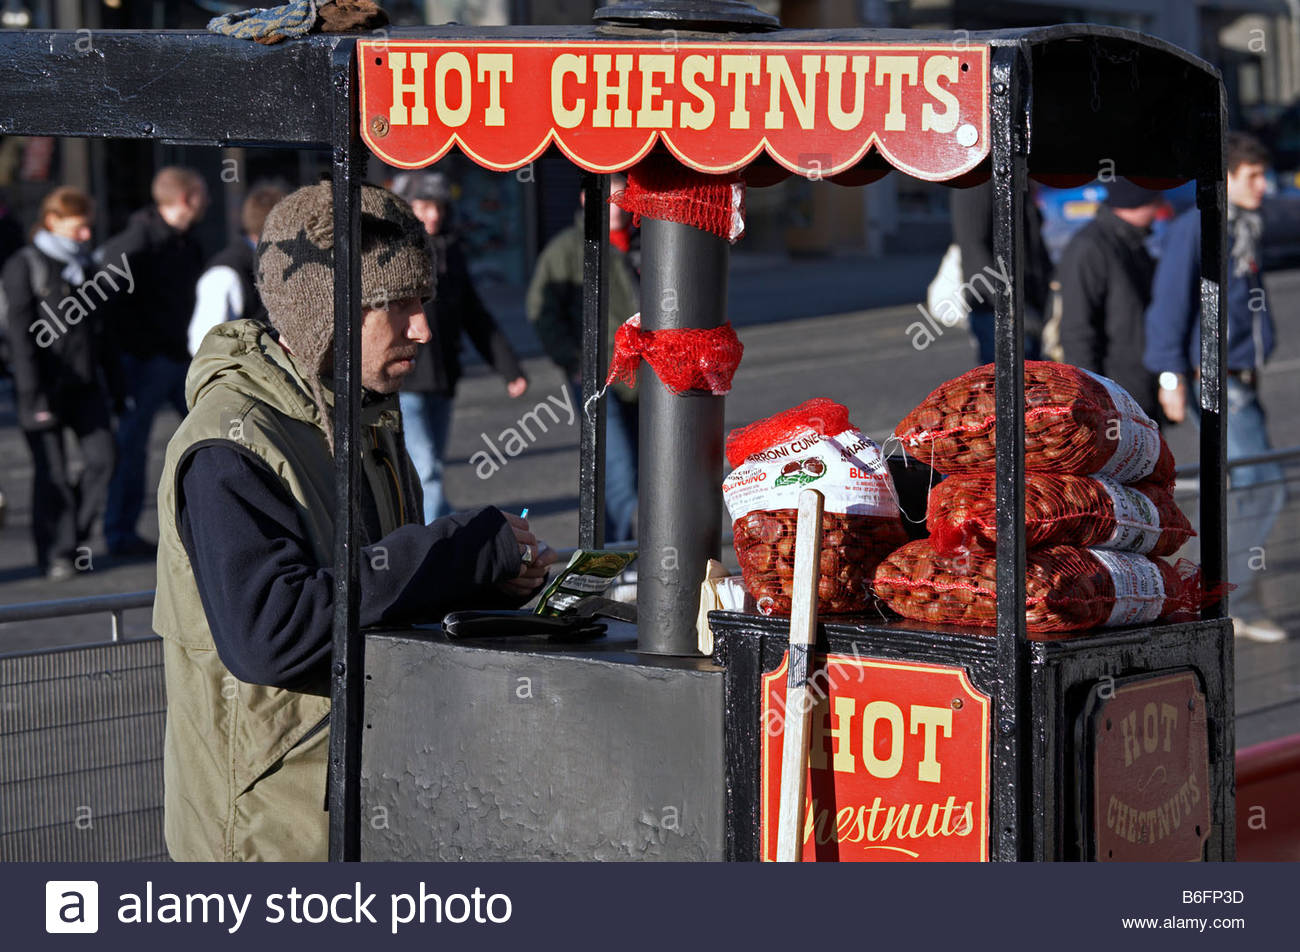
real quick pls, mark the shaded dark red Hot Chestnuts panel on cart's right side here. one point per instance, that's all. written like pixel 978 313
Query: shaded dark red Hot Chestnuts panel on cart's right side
pixel 1151 772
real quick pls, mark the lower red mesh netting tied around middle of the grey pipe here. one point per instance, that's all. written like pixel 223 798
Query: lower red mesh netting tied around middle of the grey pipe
pixel 683 360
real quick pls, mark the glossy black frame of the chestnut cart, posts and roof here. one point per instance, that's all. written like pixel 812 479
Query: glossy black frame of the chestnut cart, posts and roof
pixel 1061 99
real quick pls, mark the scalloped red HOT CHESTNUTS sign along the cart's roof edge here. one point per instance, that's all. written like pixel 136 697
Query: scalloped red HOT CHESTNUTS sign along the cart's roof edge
pixel 814 109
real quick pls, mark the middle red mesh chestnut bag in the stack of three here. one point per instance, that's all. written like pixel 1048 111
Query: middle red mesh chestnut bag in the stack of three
pixel 1071 510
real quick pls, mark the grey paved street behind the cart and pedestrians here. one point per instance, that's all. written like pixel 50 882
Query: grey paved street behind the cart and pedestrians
pixel 812 328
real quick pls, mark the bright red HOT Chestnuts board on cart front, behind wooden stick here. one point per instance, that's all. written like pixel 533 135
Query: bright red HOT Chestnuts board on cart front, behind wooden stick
pixel 899 763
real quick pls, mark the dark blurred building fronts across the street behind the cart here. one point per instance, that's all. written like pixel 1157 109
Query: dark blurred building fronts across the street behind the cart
pixel 508 218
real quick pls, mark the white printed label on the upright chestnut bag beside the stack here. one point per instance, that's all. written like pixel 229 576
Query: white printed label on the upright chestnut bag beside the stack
pixel 847 469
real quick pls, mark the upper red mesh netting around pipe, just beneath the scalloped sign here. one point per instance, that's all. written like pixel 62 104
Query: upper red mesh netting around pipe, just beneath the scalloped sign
pixel 662 188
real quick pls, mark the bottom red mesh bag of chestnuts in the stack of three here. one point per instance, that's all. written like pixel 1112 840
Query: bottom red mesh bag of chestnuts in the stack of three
pixel 1068 588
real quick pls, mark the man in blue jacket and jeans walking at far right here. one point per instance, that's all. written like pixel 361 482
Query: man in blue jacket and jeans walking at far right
pixel 1173 350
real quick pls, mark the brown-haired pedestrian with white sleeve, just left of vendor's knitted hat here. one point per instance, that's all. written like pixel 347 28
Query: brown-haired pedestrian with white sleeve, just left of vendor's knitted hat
pixel 228 291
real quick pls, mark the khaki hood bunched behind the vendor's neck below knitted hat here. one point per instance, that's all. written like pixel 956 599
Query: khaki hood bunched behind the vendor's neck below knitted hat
pixel 248 357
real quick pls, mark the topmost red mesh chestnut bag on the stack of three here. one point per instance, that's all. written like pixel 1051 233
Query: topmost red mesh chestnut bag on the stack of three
pixel 1074 423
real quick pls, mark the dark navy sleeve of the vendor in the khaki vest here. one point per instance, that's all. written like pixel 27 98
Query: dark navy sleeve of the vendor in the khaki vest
pixel 271 607
